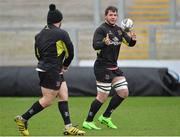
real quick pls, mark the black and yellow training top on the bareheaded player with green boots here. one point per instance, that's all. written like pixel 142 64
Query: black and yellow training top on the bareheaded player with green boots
pixel 107 55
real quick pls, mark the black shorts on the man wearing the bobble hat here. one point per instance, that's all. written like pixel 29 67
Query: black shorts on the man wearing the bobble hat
pixel 51 79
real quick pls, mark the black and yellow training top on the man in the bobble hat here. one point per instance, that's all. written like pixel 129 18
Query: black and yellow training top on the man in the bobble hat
pixel 53 48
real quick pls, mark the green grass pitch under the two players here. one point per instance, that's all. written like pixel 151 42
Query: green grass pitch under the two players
pixel 137 116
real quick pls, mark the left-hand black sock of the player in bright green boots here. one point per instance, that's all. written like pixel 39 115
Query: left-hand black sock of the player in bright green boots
pixel 95 106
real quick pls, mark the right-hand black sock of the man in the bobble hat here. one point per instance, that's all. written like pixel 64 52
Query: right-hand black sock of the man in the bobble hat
pixel 64 110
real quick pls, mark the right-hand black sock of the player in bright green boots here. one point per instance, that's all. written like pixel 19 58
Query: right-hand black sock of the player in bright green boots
pixel 113 104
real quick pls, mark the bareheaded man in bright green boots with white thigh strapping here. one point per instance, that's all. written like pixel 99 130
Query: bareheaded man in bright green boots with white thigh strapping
pixel 107 42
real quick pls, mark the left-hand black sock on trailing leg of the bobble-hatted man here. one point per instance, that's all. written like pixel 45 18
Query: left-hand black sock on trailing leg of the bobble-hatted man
pixel 35 108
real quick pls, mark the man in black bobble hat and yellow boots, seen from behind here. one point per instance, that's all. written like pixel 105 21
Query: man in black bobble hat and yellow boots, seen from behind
pixel 54 51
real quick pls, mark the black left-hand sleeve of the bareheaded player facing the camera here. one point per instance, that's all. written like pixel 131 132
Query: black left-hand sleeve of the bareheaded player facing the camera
pixel 98 39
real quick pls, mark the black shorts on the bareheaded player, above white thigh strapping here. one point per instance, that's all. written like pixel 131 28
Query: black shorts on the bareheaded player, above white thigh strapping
pixel 105 75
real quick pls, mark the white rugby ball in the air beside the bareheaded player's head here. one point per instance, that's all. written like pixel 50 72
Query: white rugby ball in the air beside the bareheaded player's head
pixel 127 24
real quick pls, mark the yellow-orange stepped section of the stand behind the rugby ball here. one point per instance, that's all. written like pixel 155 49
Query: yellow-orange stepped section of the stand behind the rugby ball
pixel 145 13
